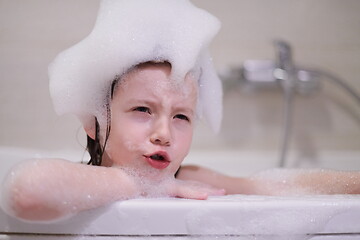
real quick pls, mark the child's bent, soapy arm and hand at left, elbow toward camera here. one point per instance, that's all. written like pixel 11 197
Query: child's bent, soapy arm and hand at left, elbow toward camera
pixel 50 189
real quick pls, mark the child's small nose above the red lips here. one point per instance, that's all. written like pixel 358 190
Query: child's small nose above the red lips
pixel 161 134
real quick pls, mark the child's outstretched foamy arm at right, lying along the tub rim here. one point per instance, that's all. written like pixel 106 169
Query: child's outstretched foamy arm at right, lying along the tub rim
pixel 279 181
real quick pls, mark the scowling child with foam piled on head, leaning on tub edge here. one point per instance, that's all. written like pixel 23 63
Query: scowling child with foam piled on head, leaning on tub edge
pixel 137 83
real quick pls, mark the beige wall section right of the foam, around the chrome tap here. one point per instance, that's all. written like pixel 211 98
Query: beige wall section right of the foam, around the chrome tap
pixel 324 35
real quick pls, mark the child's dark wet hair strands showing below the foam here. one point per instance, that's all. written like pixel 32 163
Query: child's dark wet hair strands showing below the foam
pixel 96 151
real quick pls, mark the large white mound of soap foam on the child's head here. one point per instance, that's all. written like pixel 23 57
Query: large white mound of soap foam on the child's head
pixel 129 32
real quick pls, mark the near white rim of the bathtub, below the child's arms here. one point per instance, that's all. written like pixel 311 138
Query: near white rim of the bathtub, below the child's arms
pixel 235 215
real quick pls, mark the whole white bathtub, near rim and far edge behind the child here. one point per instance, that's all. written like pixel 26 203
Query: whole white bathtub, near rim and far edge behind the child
pixel 229 217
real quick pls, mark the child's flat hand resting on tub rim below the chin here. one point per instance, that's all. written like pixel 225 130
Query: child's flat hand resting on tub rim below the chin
pixel 192 189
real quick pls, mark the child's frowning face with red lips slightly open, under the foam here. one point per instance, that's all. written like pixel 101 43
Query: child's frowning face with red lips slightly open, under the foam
pixel 152 121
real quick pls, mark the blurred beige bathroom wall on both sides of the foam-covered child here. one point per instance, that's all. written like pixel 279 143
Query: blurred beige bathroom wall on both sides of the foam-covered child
pixel 325 34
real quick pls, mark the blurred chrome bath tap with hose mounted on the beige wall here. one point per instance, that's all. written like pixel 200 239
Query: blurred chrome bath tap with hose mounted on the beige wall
pixel 291 79
